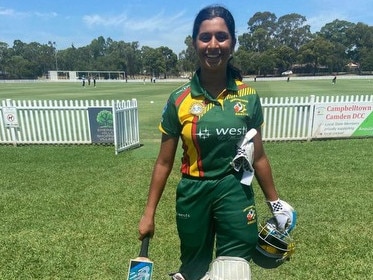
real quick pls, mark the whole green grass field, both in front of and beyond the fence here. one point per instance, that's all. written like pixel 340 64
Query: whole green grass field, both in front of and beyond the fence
pixel 71 212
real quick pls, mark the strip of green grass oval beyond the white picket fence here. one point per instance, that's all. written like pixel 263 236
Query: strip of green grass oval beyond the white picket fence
pixel 120 90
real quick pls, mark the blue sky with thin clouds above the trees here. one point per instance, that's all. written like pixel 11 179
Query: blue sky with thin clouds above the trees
pixel 152 23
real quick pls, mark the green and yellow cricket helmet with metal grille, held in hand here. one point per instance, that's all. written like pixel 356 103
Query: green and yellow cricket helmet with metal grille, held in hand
pixel 273 243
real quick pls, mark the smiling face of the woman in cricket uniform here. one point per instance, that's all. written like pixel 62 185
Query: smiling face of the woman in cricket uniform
pixel 214 44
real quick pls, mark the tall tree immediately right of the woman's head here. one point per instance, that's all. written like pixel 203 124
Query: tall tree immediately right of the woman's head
pixel 276 41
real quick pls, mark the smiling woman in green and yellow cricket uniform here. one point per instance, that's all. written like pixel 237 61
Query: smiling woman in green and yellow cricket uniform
pixel 211 114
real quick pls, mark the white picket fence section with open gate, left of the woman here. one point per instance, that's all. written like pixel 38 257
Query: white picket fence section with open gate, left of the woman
pixel 65 122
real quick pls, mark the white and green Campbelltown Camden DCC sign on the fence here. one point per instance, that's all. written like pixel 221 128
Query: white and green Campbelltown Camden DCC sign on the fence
pixel 343 120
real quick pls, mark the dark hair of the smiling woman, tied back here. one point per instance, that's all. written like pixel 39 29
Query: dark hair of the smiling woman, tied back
pixel 214 11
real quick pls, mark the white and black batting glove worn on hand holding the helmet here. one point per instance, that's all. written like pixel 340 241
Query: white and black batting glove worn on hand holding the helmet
pixel 284 215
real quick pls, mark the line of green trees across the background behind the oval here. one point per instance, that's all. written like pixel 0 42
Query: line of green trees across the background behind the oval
pixel 271 46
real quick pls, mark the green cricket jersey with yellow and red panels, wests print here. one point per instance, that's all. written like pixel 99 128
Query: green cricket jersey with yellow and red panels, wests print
pixel 210 128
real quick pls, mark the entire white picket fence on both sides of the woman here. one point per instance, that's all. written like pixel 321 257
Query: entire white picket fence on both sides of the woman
pixel 67 122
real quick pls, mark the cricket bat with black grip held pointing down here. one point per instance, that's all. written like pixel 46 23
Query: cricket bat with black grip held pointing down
pixel 141 268
